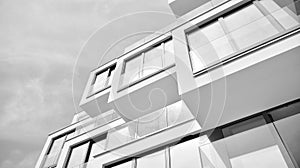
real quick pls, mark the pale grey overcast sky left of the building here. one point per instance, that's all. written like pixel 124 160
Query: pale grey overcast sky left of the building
pixel 39 43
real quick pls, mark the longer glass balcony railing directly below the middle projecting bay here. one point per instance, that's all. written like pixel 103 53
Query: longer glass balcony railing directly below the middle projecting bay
pixel 149 124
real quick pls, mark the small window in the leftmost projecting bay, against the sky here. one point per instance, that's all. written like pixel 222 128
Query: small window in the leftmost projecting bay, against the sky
pixel 102 80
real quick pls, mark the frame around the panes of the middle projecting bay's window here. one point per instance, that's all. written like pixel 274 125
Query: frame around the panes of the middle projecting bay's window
pixel 141 53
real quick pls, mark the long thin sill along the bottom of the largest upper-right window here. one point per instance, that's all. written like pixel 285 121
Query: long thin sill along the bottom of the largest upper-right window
pixel 244 52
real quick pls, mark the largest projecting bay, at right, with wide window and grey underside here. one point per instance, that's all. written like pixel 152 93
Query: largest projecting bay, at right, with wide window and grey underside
pixel 237 57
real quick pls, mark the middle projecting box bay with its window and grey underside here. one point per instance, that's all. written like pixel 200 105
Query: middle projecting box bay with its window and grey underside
pixel 145 79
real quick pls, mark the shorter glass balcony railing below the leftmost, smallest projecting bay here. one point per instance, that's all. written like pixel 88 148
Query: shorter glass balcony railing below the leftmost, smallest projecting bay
pixel 98 121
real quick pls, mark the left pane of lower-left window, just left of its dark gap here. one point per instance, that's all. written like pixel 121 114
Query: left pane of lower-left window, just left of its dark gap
pixel 78 155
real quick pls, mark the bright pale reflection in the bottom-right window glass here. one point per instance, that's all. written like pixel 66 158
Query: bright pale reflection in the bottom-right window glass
pixel 267 157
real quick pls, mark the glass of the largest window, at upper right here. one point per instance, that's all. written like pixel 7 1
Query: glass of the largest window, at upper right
pixel 257 22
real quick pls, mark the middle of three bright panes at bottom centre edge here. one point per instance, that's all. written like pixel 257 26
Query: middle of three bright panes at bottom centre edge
pixel 154 160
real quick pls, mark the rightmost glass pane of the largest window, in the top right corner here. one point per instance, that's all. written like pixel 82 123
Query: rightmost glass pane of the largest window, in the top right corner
pixel 282 15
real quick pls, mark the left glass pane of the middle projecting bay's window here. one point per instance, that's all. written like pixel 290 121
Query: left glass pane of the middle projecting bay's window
pixel 132 70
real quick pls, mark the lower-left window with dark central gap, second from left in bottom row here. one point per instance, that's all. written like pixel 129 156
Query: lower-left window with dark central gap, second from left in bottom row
pixel 81 154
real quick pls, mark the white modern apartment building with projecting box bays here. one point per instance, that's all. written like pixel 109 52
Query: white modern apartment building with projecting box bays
pixel 218 88
